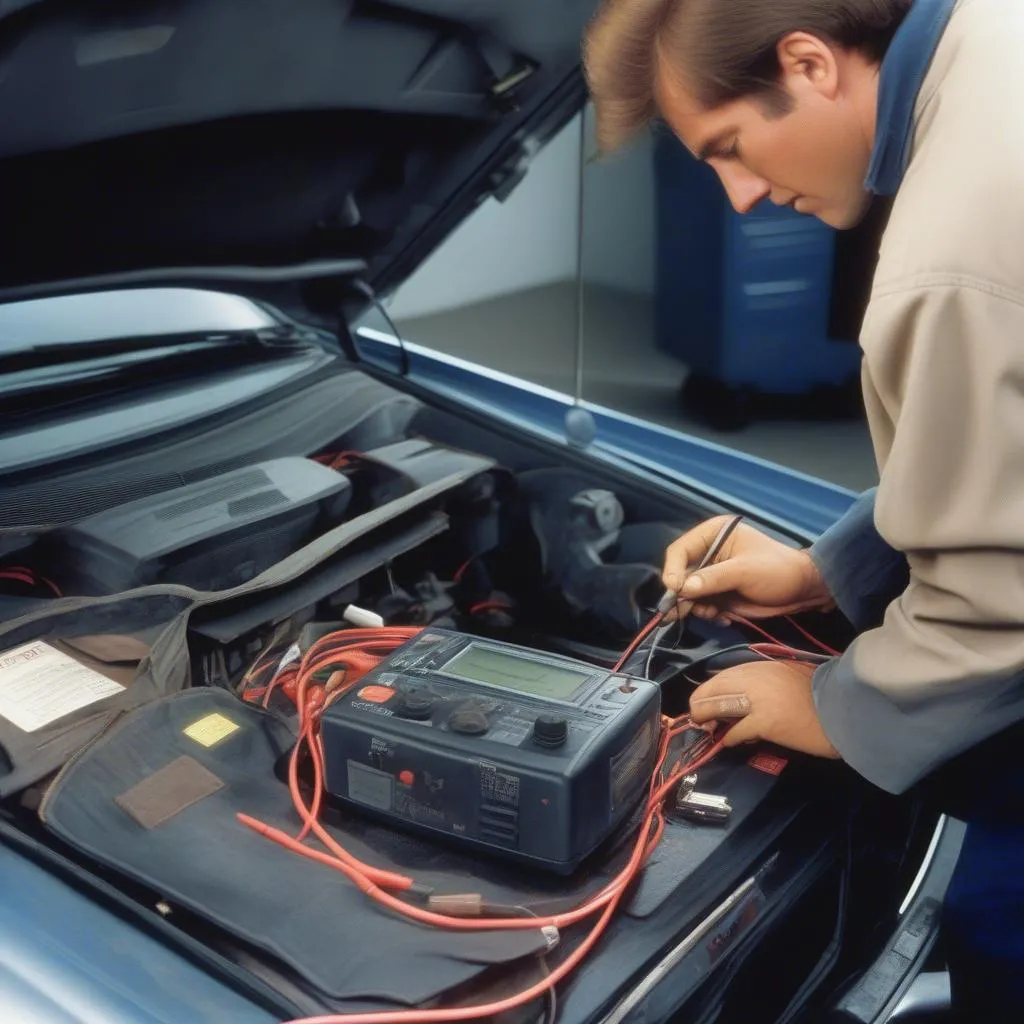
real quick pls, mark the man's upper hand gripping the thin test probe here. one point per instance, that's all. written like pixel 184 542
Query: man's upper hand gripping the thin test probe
pixel 753 576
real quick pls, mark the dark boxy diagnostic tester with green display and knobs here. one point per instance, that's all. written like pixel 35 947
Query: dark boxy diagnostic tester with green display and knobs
pixel 515 752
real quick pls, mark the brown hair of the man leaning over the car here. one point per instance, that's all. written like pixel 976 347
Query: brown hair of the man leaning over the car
pixel 727 50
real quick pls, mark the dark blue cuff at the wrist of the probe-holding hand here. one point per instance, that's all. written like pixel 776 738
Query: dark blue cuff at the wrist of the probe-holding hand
pixel 863 573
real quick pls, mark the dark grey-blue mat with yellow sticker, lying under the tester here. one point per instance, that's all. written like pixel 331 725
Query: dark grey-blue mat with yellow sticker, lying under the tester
pixel 156 801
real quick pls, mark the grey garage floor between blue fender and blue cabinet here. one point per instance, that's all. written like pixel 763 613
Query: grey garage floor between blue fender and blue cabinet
pixel 532 335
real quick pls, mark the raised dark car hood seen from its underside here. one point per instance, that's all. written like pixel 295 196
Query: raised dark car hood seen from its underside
pixel 273 148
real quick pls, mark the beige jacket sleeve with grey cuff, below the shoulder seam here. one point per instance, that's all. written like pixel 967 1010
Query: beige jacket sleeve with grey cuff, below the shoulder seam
pixel 945 391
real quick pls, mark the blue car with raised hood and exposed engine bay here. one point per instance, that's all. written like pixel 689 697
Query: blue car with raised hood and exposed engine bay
pixel 231 507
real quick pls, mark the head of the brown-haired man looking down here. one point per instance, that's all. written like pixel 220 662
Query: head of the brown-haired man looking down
pixel 779 97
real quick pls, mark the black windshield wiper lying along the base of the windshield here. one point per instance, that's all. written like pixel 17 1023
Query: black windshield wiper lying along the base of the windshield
pixel 75 356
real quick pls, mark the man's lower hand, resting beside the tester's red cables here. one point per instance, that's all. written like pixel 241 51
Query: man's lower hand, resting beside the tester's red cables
pixel 772 701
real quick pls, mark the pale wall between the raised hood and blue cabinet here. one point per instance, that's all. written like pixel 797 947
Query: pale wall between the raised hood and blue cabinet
pixel 531 240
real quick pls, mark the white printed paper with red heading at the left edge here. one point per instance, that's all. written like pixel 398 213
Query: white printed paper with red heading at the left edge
pixel 40 685
